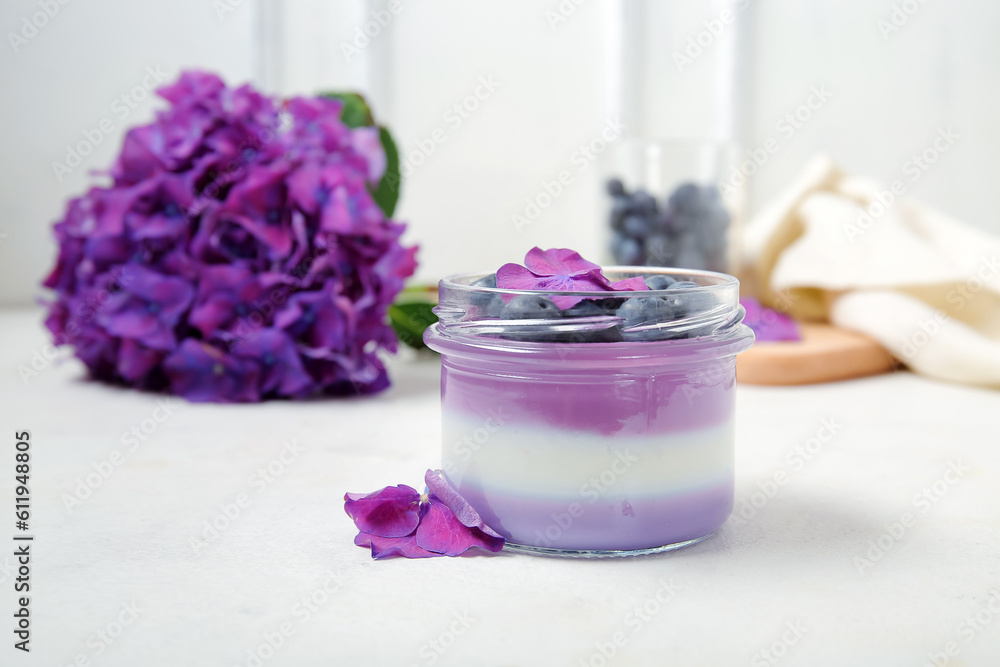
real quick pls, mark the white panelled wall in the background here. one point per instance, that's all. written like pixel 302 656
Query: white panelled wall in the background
pixel 559 82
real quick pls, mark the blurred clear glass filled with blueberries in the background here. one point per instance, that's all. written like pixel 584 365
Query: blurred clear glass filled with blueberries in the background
pixel 668 204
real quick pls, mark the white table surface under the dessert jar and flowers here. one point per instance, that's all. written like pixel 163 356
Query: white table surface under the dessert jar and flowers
pixel 794 564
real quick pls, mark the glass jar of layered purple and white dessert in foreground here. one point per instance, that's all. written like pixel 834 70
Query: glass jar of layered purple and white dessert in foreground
pixel 592 432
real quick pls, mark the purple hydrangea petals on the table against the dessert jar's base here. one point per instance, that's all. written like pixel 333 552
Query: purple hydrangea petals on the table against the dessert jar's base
pixel 398 521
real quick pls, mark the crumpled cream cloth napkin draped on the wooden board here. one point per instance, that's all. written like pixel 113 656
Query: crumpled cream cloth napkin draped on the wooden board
pixel 926 286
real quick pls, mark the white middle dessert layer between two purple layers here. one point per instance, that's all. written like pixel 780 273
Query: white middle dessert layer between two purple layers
pixel 544 462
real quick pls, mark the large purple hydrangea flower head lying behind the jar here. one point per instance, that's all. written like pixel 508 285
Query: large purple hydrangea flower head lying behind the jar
pixel 237 254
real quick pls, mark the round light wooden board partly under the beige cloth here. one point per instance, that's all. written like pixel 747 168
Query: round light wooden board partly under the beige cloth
pixel 825 354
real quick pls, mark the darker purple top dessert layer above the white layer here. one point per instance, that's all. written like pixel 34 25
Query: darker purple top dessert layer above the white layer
pixel 607 401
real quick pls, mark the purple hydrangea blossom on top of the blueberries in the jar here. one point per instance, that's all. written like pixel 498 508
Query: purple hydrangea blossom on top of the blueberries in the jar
pixel 561 270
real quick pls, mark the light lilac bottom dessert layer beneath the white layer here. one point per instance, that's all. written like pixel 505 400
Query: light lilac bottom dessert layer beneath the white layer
pixel 620 525
